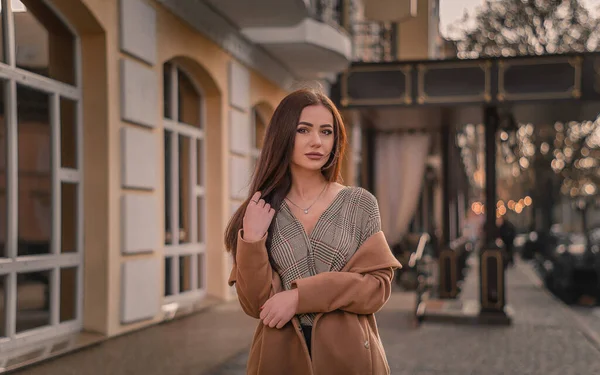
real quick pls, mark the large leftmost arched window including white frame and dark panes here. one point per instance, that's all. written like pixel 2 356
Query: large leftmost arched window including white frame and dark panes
pixel 41 213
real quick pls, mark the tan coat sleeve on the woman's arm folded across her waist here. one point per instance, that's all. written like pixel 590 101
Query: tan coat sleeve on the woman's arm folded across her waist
pixel 358 293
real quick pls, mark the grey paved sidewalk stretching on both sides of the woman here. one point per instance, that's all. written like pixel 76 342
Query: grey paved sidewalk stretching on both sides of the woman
pixel 545 338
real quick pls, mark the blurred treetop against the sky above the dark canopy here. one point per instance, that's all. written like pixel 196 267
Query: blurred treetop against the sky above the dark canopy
pixel 527 27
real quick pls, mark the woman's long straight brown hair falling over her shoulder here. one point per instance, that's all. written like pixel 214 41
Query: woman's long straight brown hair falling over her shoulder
pixel 272 177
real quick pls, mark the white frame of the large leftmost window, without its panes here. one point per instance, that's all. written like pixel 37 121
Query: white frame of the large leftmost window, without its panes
pixel 13 264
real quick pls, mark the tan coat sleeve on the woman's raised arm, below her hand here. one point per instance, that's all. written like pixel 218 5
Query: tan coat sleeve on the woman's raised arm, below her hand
pixel 252 275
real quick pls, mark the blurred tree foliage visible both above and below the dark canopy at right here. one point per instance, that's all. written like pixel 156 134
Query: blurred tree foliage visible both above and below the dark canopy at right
pixel 537 27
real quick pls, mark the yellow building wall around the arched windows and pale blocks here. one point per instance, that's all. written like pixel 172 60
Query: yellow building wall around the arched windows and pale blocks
pixel 97 23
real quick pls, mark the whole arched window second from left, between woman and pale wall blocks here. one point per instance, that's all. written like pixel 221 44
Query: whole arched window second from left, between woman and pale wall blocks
pixel 185 224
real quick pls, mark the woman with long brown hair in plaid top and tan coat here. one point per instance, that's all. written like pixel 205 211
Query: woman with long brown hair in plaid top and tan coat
pixel 317 273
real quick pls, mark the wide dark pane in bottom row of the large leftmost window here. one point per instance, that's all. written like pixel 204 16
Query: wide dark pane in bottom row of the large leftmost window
pixel 33 300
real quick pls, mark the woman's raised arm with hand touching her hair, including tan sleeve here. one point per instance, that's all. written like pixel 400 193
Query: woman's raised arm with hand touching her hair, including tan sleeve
pixel 252 272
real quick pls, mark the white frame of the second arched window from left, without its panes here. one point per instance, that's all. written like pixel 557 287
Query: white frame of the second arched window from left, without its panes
pixel 194 248
